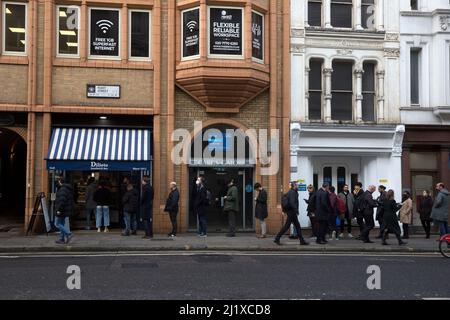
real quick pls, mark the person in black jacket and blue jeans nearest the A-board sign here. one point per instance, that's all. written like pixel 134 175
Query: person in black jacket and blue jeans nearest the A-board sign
pixel 64 208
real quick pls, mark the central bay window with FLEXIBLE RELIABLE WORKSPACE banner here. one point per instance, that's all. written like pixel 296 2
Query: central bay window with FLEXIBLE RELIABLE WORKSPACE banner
pixel 225 32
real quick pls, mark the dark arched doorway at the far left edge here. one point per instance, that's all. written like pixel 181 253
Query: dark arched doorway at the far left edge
pixel 13 155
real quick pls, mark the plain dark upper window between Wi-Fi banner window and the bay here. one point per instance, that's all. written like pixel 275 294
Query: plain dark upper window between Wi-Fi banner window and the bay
pixel 140 34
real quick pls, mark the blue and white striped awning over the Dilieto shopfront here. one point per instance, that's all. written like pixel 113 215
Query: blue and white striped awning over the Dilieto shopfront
pixel 100 145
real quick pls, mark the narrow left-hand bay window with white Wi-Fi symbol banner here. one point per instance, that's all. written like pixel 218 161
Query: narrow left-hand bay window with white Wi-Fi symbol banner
pixel 190 30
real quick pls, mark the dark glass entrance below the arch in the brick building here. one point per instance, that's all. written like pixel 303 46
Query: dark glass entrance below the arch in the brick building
pixel 216 180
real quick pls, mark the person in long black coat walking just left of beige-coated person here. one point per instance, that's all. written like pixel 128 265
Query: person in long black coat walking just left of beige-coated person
pixel 390 219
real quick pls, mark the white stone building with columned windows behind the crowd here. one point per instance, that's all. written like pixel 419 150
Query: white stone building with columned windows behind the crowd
pixel 345 97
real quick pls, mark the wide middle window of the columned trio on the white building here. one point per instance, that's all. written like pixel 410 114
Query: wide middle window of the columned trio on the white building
pixel 342 91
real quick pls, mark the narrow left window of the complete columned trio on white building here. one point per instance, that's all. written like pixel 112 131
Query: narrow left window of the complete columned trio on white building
pixel 315 90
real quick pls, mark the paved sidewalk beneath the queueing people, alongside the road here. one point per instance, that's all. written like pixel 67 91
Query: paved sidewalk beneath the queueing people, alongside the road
pixel 91 241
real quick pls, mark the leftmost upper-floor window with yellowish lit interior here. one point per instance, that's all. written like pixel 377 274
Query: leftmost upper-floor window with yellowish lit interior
pixel 15 27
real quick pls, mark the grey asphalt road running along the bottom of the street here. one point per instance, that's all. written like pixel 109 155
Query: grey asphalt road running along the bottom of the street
pixel 224 276
